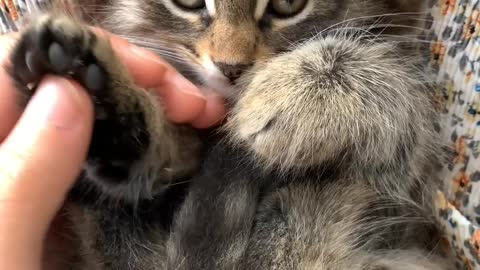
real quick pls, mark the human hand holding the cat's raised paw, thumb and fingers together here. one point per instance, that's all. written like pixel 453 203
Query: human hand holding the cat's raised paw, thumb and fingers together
pixel 45 146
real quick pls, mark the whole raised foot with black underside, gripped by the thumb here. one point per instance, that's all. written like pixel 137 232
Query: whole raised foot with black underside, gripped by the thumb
pixel 134 152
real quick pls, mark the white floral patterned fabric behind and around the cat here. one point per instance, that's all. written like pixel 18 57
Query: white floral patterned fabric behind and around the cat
pixel 455 59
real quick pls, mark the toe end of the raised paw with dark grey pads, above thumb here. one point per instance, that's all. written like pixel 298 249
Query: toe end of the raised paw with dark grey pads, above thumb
pixel 61 46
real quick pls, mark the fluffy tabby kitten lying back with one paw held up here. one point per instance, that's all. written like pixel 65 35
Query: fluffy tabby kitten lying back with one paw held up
pixel 327 159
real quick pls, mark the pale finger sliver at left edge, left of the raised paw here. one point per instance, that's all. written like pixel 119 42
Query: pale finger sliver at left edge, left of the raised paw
pixel 9 111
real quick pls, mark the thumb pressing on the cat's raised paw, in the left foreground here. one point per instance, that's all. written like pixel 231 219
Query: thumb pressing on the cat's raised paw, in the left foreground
pixel 39 162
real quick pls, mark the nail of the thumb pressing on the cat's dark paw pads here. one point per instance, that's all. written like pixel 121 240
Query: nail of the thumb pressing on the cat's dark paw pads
pixel 56 103
